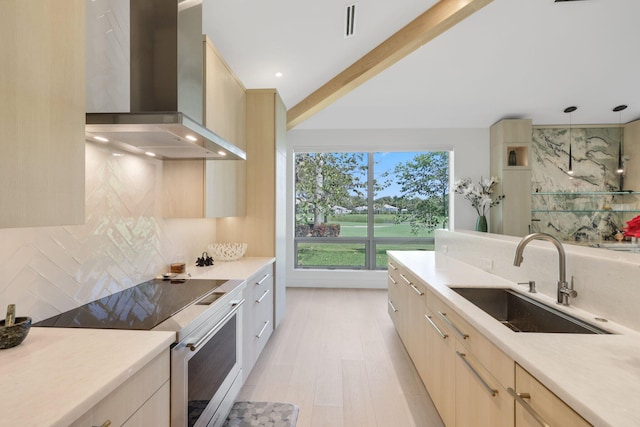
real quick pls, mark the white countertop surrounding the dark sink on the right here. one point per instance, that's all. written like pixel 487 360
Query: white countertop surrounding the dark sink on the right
pixel 597 375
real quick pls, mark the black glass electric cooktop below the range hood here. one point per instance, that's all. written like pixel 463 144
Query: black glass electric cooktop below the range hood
pixel 141 307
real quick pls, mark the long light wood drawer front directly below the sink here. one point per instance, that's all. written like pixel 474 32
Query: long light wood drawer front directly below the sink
pixel 482 349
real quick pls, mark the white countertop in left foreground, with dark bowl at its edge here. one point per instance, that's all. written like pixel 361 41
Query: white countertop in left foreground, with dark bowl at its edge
pixel 56 375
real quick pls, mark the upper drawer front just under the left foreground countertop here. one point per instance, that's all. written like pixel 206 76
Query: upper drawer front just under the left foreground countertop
pixel 131 396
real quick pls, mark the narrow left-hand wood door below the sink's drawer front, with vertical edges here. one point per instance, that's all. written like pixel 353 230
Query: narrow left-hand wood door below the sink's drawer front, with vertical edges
pixel 438 373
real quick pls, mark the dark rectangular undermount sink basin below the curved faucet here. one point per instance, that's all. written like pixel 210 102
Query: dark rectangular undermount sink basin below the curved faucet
pixel 523 314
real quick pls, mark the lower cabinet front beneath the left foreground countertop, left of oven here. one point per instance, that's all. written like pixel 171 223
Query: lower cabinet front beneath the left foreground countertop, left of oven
pixel 142 400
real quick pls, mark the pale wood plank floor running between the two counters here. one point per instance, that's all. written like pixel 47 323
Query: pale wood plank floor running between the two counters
pixel 338 357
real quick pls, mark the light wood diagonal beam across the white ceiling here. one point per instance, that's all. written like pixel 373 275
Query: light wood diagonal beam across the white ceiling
pixel 435 21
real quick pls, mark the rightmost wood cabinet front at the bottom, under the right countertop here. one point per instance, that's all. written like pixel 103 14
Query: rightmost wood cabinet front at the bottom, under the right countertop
pixel 537 405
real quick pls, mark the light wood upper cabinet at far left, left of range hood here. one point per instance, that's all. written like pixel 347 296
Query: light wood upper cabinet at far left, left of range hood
pixel 42 112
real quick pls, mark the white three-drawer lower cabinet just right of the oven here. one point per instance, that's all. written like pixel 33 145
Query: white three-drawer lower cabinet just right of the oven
pixel 257 316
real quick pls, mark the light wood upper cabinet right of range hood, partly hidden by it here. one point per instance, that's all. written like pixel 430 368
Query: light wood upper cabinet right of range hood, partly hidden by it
pixel 212 188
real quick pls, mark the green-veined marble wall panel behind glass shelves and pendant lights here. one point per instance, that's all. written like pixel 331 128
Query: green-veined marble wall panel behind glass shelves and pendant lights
pixel 579 207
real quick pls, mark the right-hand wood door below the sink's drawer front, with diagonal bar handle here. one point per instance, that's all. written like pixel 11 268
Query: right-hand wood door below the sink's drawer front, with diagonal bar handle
pixel 480 400
